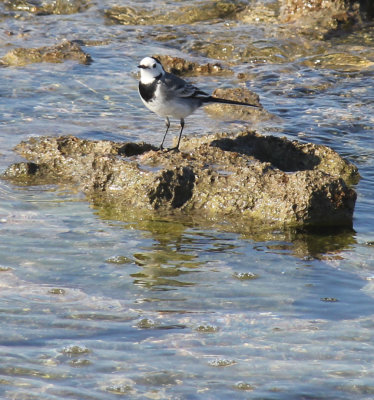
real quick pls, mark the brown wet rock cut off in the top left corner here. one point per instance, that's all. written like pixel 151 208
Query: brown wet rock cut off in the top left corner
pixel 47 7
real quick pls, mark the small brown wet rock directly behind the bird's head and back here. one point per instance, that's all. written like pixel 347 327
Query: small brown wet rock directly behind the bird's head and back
pixel 180 66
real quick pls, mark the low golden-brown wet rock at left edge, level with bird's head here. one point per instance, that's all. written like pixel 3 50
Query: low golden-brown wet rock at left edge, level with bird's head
pixel 55 54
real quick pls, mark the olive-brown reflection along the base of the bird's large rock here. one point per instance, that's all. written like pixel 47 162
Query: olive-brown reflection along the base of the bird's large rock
pixel 174 238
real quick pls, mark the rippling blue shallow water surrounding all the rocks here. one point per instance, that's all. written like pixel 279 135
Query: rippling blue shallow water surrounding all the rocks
pixel 99 305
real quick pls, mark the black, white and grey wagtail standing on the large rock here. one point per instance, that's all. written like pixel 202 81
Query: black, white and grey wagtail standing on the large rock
pixel 169 96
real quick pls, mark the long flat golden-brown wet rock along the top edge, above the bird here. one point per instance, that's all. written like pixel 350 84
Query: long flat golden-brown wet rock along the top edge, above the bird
pixel 203 11
